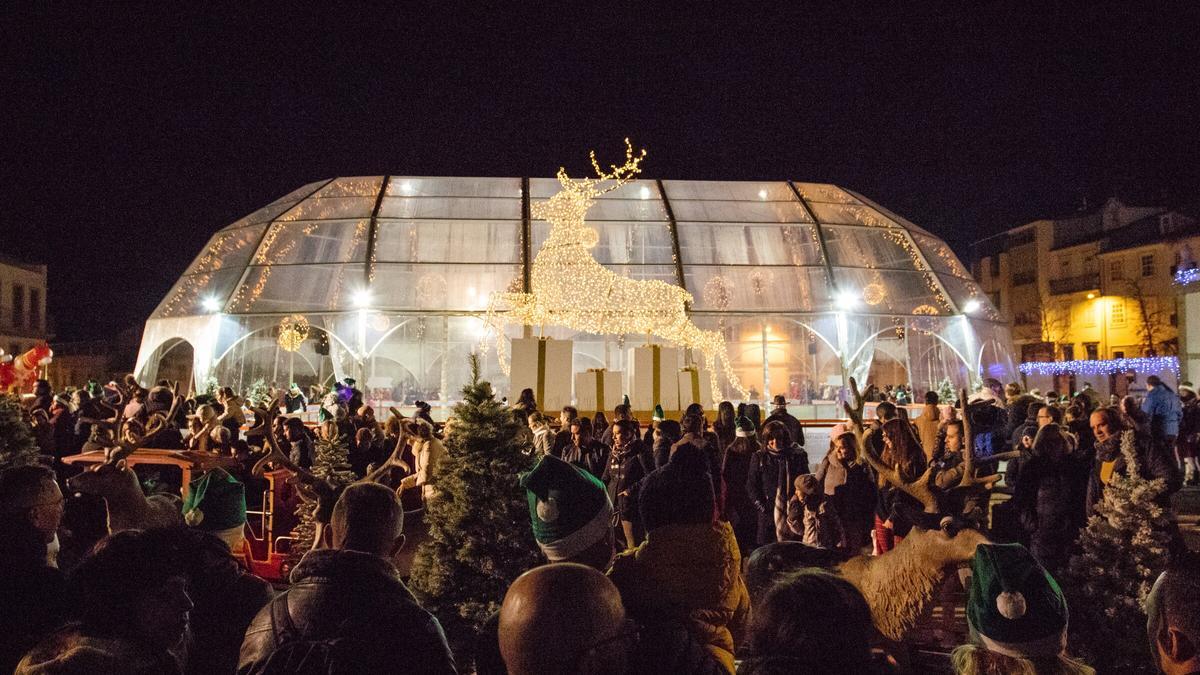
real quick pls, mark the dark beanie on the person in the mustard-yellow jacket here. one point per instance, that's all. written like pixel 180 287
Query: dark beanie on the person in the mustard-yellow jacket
pixel 680 493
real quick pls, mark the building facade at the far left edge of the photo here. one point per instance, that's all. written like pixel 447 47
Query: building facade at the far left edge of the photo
pixel 22 306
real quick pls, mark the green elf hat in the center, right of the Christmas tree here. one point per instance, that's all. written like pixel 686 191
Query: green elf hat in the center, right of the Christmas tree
pixel 569 509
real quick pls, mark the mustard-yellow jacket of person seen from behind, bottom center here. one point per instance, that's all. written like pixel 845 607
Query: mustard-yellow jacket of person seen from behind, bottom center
pixel 691 575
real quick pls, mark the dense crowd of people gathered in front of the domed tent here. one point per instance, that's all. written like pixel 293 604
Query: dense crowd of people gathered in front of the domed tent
pixel 687 546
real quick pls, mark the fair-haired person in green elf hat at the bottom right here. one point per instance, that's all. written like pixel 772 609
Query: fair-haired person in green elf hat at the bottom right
pixel 1017 616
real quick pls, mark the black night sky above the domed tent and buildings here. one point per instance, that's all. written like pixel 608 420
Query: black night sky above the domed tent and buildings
pixel 131 135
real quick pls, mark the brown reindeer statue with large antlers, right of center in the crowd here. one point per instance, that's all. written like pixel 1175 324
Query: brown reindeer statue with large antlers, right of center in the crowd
pixel 901 583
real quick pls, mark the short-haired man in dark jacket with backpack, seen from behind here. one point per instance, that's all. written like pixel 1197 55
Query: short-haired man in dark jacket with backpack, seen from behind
pixel 351 595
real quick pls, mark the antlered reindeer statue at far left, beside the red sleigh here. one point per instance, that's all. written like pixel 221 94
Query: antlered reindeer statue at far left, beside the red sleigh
pixel 129 507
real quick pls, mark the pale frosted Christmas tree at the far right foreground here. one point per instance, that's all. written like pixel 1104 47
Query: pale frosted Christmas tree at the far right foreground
pixel 1123 551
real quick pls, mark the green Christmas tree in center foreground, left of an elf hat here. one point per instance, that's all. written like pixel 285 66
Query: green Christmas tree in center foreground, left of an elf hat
pixel 481 539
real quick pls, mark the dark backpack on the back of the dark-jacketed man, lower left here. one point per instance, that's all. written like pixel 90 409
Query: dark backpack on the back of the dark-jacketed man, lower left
pixel 346 653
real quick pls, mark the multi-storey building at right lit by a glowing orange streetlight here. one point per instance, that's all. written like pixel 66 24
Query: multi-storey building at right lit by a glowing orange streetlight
pixel 1091 286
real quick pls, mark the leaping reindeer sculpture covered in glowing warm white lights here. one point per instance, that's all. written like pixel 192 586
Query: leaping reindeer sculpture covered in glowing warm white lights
pixel 571 289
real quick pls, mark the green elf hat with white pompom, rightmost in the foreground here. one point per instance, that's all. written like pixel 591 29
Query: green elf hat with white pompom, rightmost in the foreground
pixel 1015 607
